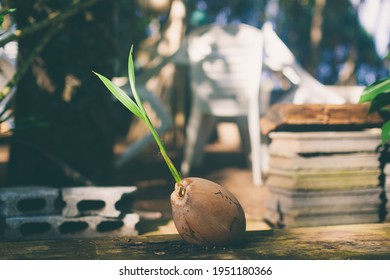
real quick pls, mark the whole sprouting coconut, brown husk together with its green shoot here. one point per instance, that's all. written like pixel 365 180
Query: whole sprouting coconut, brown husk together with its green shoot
pixel 204 212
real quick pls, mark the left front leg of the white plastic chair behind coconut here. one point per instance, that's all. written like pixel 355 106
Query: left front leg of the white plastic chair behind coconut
pixel 198 132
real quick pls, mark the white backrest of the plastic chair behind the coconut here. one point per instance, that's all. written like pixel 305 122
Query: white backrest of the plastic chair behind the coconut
pixel 225 67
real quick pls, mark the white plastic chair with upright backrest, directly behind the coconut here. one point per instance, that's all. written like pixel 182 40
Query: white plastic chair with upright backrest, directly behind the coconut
pixel 225 74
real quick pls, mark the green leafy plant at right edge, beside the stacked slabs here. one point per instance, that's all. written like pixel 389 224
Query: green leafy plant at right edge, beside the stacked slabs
pixel 379 95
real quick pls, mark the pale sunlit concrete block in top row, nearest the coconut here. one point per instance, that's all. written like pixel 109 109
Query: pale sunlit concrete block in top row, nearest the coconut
pixel 101 201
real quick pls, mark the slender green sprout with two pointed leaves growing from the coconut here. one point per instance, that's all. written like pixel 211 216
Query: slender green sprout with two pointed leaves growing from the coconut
pixel 138 109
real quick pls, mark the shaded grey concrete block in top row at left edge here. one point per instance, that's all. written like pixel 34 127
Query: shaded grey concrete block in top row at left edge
pixel 29 200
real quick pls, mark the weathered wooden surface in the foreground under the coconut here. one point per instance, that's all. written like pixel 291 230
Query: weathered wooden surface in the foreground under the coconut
pixel 369 241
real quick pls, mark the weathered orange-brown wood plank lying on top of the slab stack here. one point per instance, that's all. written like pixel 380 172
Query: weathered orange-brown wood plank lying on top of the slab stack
pixel 292 115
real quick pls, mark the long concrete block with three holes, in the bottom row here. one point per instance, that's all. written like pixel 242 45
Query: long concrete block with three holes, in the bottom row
pixel 56 226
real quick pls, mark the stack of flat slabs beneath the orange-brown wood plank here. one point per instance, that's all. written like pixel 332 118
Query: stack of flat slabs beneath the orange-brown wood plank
pixel 323 178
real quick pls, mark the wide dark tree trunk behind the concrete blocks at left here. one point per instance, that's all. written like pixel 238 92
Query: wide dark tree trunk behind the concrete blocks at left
pixel 63 114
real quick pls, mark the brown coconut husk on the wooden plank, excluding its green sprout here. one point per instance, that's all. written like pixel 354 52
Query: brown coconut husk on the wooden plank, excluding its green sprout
pixel 207 214
